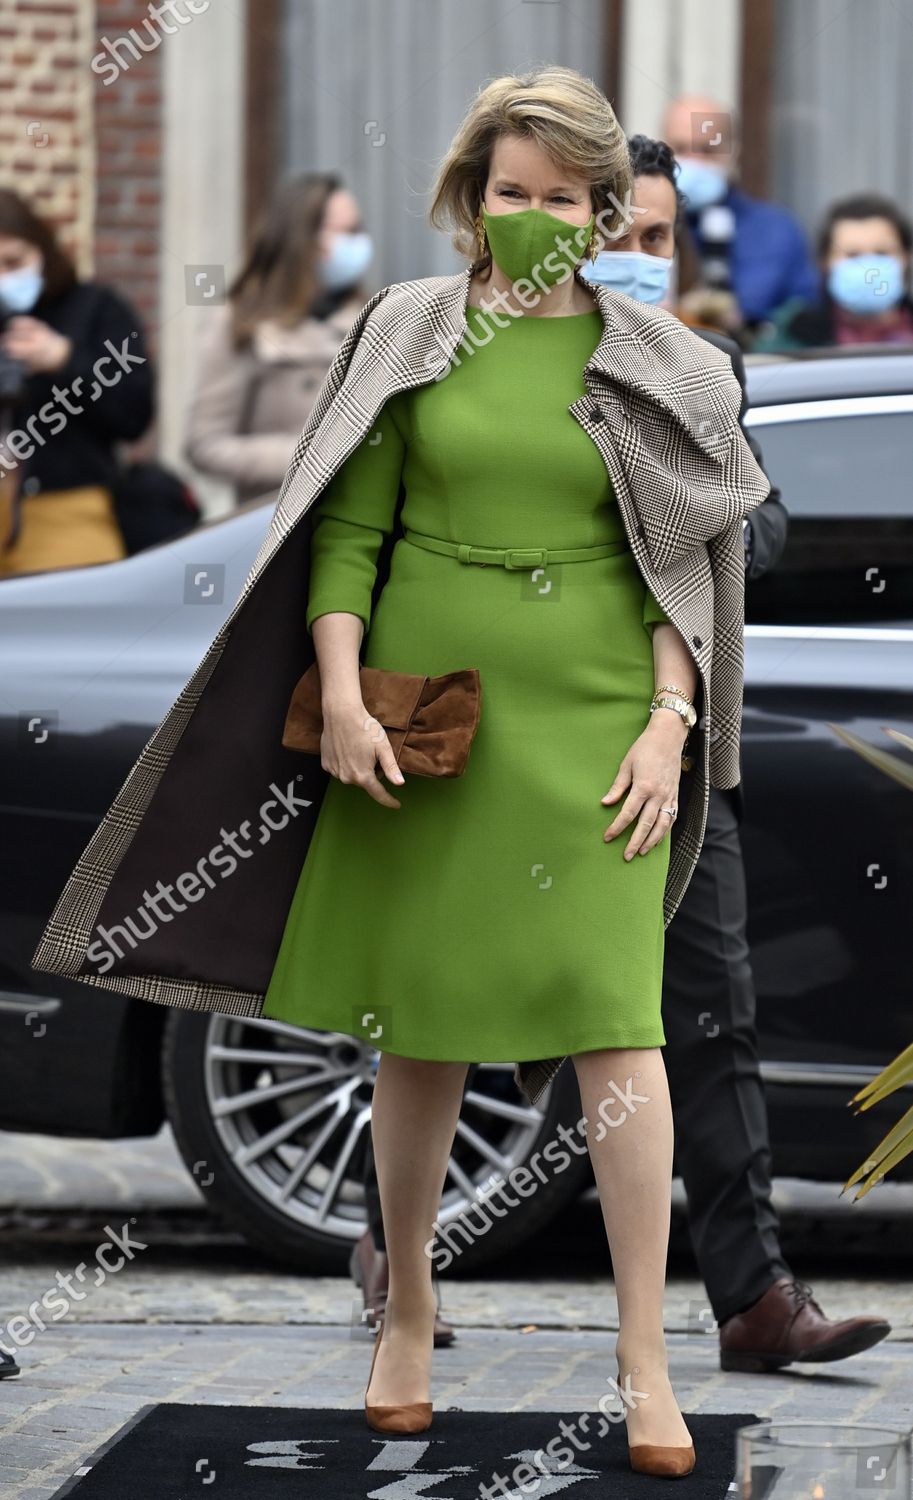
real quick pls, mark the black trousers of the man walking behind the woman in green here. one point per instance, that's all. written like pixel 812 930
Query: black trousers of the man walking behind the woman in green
pixel 723 1151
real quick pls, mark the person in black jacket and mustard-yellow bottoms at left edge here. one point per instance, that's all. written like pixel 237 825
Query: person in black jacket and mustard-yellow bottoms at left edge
pixel 76 382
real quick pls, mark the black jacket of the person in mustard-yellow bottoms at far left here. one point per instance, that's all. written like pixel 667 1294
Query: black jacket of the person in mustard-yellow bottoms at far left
pixel 109 377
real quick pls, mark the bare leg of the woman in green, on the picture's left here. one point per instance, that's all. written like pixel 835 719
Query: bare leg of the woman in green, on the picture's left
pixel 415 1117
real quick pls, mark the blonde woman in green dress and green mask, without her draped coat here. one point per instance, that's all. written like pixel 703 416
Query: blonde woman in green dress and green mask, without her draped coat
pixel 515 911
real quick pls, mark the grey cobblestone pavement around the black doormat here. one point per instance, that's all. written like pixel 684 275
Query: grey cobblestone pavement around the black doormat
pixel 197 1316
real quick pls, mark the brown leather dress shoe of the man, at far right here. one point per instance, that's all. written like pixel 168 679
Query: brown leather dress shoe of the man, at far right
pixel 786 1327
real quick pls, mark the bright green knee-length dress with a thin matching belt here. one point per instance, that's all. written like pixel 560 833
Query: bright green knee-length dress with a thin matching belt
pixel 486 920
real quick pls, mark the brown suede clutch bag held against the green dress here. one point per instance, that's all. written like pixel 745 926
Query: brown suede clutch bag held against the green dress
pixel 430 721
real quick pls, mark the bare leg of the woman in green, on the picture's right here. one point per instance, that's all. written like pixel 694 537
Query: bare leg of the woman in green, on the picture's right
pixel 630 1144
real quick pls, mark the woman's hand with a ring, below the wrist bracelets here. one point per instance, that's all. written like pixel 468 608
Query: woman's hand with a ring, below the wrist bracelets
pixel 651 770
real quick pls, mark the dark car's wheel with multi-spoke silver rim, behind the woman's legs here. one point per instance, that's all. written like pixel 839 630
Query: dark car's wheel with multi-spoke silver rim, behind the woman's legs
pixel 200 1106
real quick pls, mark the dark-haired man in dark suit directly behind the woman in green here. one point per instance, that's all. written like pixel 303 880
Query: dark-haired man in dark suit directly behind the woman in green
pixel 765 1316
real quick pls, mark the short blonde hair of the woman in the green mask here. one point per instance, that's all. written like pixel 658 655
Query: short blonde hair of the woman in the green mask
pixel 566 115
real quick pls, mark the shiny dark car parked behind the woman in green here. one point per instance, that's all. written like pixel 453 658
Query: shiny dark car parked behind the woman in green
pixel 274 1120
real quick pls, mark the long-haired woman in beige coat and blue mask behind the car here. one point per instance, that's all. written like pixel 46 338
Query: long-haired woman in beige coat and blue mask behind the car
pixel 275 337
